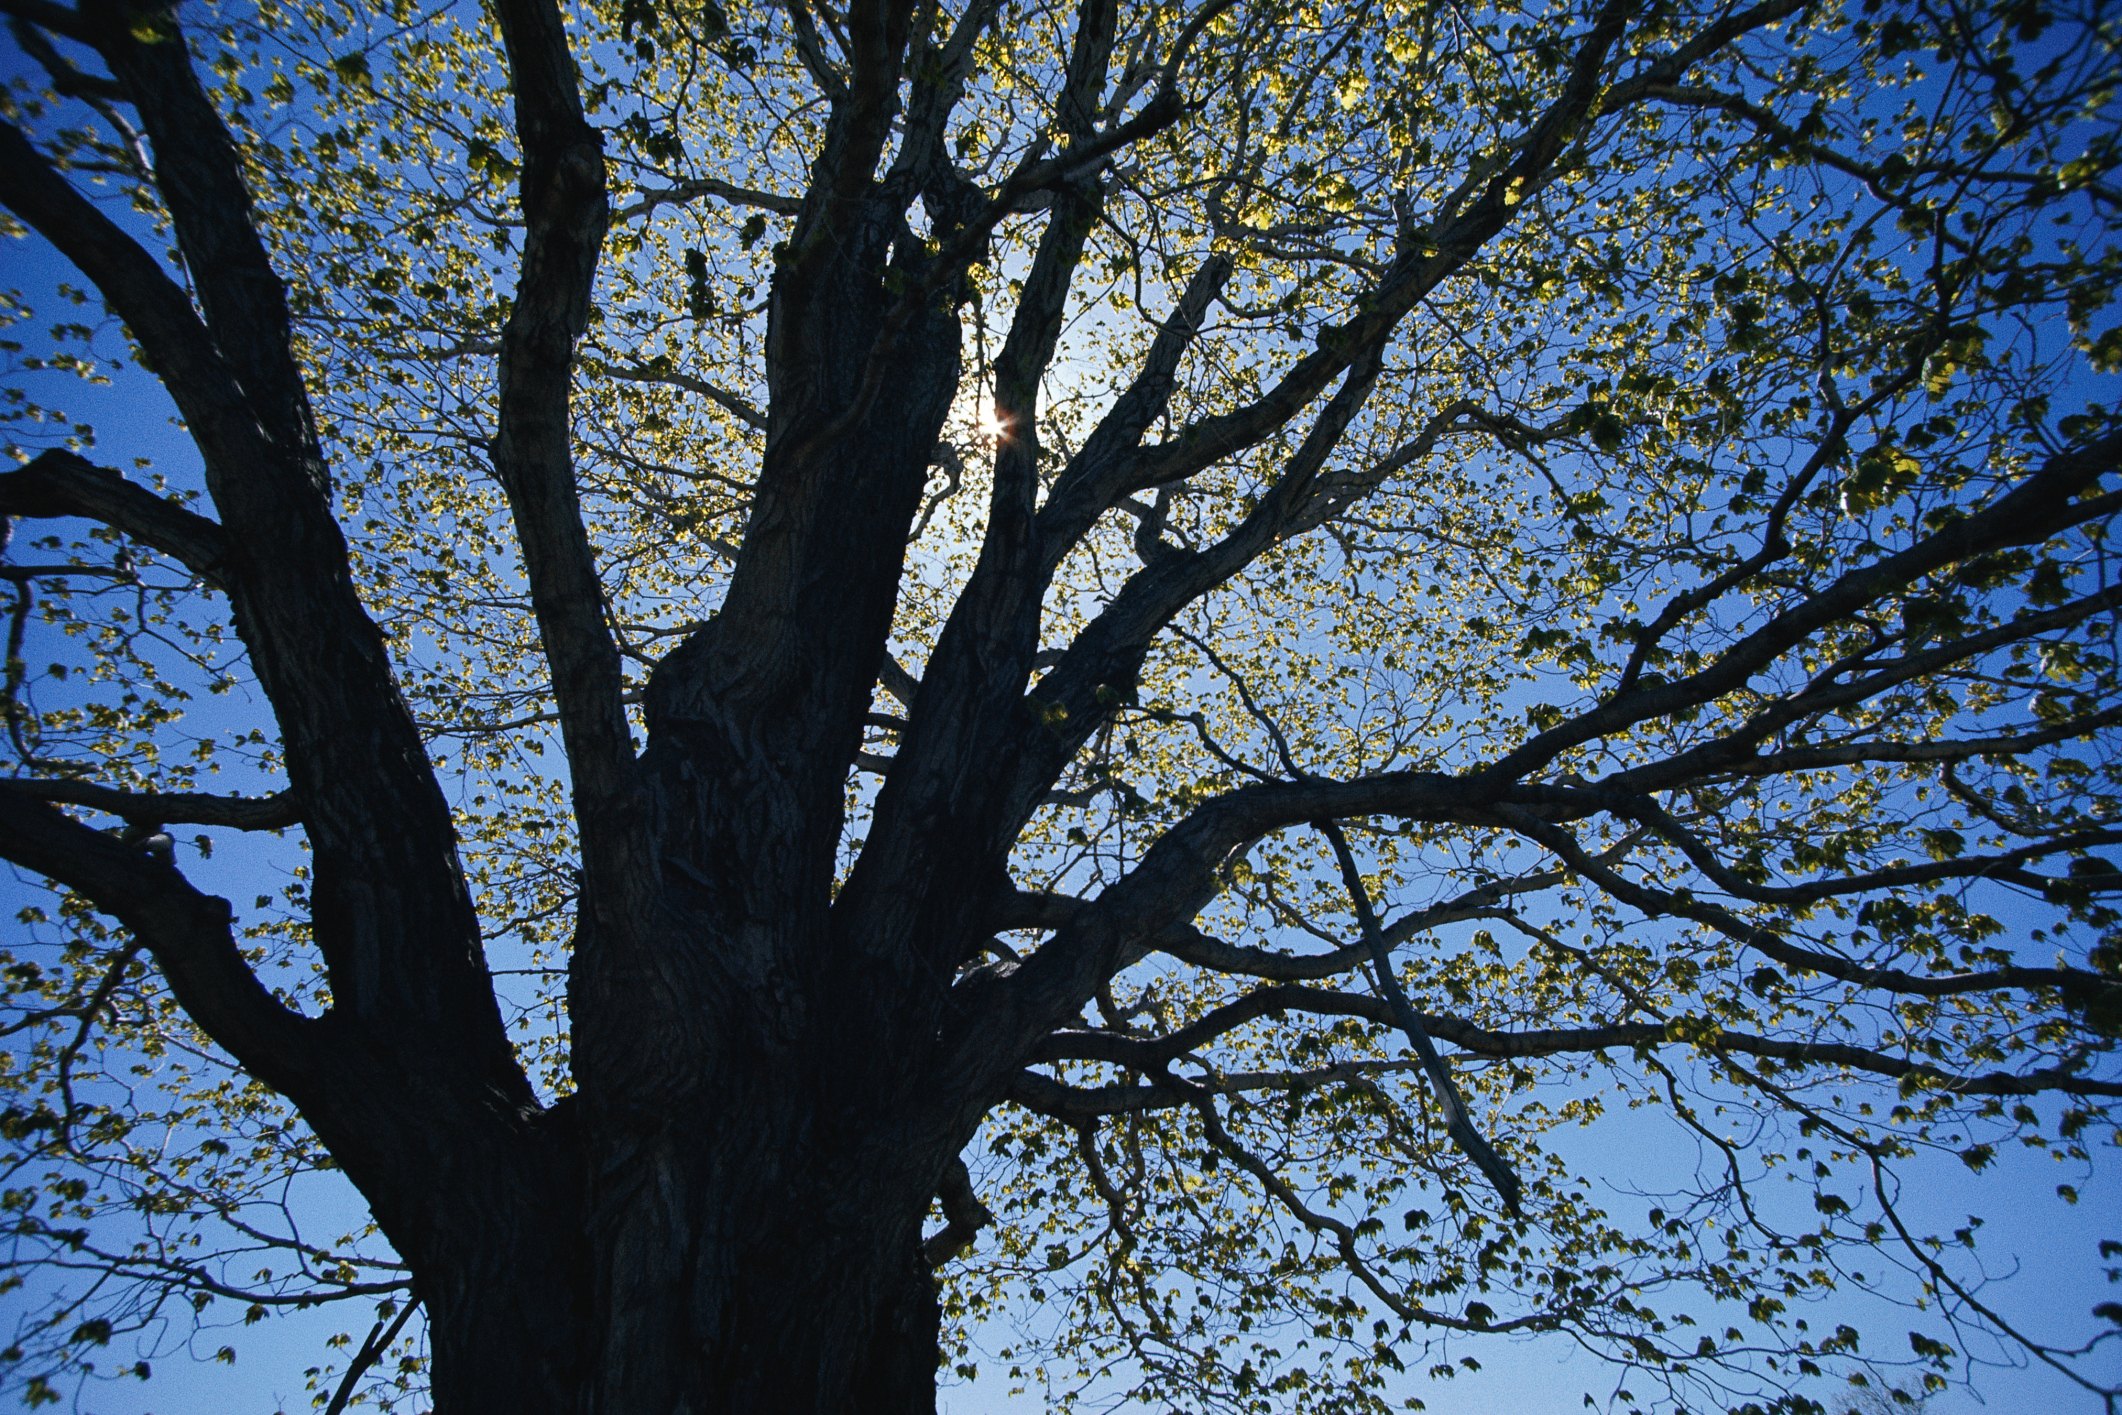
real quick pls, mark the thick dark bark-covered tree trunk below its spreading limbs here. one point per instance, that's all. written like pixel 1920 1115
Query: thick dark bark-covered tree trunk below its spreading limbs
pixel 725 1219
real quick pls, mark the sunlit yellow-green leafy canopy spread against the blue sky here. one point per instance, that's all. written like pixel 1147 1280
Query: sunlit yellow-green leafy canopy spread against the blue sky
pixel 1641 470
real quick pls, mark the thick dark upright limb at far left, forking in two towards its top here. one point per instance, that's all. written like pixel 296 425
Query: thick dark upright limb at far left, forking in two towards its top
pixel 392 911
